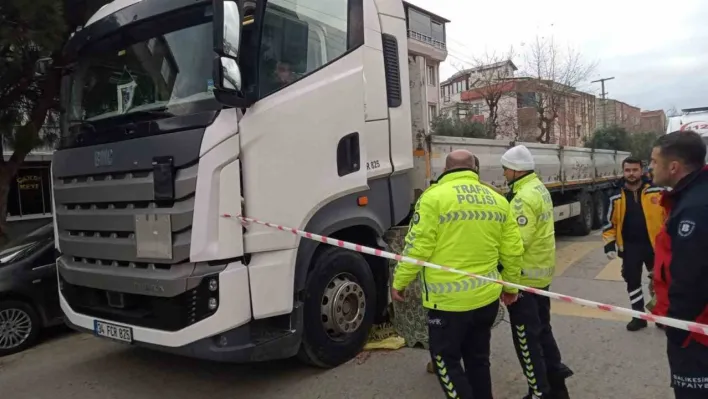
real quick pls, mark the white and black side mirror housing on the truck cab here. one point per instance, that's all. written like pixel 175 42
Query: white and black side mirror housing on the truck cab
pixel 227 39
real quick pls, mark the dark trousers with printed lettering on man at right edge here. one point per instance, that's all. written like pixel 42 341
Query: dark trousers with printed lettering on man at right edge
pixel 689 370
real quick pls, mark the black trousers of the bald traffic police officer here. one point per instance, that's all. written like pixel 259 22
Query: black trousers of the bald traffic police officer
pixel 456 336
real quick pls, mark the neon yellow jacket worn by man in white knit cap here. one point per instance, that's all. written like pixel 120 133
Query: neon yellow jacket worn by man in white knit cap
pixel 532 208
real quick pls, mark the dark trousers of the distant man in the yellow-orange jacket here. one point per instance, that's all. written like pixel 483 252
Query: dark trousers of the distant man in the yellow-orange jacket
pixel 634 256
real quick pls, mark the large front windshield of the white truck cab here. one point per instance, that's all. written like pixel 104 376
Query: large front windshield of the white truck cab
pixel 162 75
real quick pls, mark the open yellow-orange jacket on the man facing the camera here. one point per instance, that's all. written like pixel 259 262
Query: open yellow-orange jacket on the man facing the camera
pixel 654 216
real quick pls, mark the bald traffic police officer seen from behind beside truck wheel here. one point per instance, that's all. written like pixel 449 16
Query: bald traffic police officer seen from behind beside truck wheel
pixel 460 223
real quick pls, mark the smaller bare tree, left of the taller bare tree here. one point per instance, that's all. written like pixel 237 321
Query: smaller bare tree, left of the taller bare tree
pixel 493 81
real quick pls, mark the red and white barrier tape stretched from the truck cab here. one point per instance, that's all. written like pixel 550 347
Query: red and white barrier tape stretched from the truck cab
pixel 681 324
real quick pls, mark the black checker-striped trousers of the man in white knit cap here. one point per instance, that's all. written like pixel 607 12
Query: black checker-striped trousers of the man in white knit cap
pixel 535 345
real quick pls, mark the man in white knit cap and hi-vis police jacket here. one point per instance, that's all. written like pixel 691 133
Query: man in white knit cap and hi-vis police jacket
pixel 530 315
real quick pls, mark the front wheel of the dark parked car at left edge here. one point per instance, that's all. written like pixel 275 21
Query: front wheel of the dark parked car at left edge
pixel 19 327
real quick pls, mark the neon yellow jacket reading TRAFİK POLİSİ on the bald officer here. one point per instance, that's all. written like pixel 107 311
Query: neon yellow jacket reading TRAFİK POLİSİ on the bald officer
pixel 460 223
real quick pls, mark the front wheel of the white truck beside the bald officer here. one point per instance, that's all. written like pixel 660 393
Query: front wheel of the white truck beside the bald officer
pixel 339 308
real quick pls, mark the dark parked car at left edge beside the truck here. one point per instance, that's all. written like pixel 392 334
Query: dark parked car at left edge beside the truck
pixel 29 299
